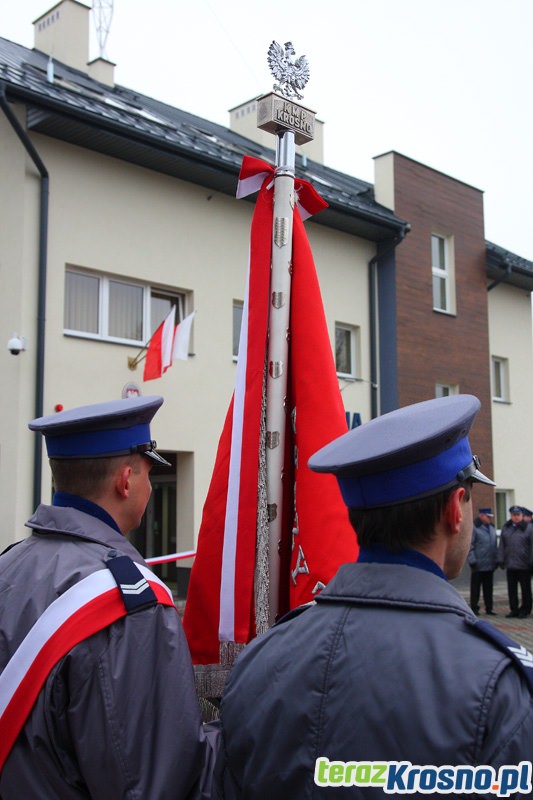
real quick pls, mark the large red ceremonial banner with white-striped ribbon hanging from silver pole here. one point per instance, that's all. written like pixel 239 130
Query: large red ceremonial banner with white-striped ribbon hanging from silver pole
pixel 318 537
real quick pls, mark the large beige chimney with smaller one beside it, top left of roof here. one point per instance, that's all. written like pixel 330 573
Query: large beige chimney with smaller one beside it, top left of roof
pixel 63 34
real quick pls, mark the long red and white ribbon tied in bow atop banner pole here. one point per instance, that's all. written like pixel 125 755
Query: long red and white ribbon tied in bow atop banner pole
pixel 255 175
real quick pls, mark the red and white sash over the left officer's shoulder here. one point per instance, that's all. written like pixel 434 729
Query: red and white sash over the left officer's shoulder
pixel 86 608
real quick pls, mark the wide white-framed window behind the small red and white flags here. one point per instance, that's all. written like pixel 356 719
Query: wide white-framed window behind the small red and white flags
pixel 99 306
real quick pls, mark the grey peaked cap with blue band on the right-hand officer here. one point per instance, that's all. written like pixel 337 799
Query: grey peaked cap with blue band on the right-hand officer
pixel 406 454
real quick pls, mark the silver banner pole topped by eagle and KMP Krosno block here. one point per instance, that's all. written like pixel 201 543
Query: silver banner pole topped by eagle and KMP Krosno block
pixel 292 124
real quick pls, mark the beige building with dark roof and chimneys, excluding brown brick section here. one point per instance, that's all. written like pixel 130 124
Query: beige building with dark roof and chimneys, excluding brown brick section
pixel 124 207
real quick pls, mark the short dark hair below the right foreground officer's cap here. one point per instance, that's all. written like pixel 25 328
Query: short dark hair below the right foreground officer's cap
pixel 396 527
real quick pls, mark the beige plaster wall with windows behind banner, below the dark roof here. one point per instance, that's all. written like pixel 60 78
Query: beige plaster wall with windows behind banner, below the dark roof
pixel 118 233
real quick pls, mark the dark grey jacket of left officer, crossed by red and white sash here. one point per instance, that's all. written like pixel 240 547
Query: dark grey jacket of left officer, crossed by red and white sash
pixel 118 716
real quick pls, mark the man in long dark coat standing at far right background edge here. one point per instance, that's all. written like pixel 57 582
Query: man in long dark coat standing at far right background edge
pixel 516 557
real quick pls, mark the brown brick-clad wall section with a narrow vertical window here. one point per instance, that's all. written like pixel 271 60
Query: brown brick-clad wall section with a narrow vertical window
pixel 435 347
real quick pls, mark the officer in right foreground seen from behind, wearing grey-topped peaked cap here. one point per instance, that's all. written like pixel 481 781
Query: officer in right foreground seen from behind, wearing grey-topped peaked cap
pixel 390 664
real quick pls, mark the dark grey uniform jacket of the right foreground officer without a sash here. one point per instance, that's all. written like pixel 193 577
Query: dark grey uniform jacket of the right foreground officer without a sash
pixel 386 666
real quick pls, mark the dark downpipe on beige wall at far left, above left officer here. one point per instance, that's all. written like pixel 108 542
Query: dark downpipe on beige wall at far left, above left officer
pixel 41 291
